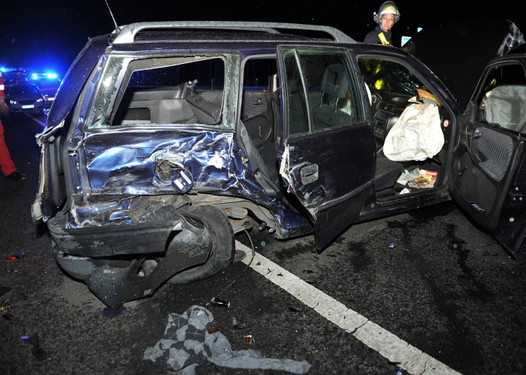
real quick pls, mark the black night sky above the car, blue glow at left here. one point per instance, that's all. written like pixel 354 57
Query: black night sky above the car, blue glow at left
pixel 49 34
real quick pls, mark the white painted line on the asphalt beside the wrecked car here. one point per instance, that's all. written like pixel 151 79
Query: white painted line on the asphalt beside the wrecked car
pixel 396 350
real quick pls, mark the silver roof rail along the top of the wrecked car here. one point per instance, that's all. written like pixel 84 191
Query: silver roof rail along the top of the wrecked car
pixel 126 34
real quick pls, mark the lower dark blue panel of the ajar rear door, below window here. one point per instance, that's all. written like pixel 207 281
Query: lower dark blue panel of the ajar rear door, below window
pixel 330 175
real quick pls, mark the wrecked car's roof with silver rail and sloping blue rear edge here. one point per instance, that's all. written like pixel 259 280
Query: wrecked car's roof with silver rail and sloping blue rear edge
pixel 183 35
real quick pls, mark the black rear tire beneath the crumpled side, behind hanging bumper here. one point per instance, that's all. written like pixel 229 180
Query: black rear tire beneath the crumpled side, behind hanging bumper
pixel 223 249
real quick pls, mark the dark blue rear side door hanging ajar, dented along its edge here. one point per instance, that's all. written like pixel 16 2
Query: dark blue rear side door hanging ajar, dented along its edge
pixel 328 150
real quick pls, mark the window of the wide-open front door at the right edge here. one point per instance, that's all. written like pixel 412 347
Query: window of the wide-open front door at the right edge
pixel 502 99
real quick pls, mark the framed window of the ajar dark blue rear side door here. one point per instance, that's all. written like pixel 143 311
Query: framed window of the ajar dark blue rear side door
pixel 320 91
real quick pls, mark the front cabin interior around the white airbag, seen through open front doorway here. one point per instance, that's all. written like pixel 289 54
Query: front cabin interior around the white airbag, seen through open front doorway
pixel 393 89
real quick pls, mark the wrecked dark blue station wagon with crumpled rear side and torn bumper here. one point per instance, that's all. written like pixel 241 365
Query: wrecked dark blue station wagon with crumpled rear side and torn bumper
pixel 168 138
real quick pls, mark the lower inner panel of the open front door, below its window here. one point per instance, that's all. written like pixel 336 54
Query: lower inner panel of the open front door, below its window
pixel 488 183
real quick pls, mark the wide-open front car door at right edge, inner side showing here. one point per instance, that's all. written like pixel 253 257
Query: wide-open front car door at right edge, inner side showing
pixel 489 174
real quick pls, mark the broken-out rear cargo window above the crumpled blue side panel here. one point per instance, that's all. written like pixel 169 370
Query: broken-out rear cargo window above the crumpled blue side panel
pixel 176 90
